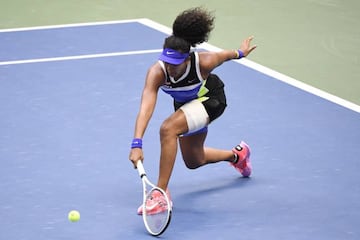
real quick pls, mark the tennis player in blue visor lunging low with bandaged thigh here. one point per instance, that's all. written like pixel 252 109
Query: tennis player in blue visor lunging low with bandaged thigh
pixel 198 95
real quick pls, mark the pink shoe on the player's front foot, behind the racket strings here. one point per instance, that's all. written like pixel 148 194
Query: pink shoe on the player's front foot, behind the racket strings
pixel 156 204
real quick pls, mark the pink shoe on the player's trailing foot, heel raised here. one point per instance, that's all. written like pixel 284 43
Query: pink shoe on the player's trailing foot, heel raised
pixel 242 164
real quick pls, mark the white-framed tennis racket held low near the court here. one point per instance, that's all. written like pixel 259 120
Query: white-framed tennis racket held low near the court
pixel 154 198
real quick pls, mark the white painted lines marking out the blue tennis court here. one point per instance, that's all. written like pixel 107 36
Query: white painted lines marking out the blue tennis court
pixel 167 30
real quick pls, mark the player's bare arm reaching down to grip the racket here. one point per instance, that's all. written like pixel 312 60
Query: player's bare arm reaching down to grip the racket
pixel 154 79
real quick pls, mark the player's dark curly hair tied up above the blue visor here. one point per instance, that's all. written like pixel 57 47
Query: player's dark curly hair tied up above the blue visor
pixel 191 27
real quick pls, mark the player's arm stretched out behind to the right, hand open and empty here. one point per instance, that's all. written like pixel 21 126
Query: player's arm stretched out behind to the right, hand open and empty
pixel 211 60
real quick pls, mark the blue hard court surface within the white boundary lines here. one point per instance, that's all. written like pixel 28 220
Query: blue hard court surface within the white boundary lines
pixel 69 98
